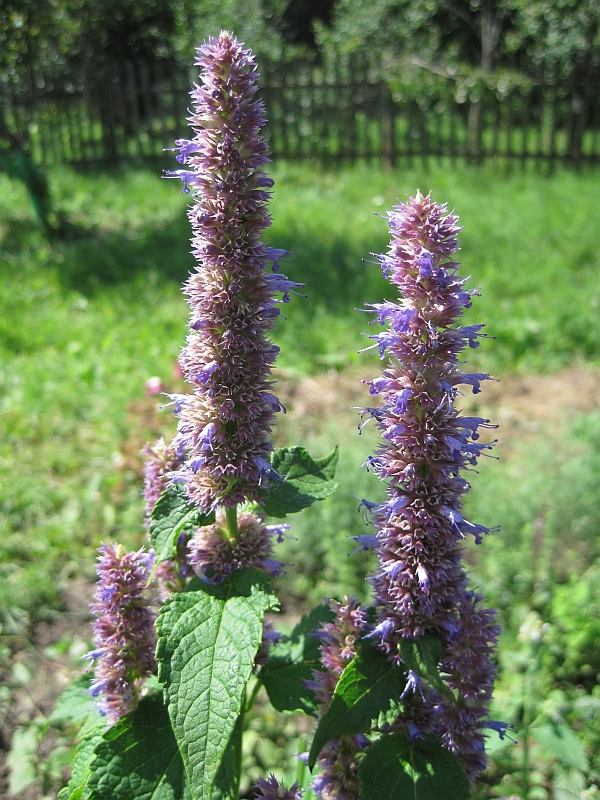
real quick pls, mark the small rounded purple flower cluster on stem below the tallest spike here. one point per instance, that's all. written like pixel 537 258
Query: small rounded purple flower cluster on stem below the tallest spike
pixel 214 554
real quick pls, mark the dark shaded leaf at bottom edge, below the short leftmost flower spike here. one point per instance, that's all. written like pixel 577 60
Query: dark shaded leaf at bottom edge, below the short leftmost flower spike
pixel 138 759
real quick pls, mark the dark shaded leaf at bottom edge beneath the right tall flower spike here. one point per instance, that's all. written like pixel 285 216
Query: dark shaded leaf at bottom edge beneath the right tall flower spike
pixel 393 769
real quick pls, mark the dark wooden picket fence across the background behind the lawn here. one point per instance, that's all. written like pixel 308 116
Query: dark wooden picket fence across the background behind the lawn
pixel 341 110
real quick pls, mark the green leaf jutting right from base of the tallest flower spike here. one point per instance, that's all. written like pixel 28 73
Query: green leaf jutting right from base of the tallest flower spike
pixel 304 480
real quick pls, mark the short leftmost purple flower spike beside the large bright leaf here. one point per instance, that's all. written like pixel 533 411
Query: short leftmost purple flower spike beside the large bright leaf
pixel 123 630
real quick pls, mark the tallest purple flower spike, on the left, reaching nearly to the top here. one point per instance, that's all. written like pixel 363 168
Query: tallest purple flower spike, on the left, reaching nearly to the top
pixel 224 425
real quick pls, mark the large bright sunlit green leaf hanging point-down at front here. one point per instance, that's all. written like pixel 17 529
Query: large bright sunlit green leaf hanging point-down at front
pixel 208 639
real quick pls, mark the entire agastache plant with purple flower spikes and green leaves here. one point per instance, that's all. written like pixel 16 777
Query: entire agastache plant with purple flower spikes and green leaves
pixel 400 690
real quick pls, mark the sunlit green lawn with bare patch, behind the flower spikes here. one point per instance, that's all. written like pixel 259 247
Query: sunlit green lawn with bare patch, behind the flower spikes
pixel 86 320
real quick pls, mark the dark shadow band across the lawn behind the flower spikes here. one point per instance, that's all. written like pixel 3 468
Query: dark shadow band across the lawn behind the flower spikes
pixel 333 272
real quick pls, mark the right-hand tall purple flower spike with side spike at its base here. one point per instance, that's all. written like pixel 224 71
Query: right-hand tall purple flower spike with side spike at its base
pixel 420 584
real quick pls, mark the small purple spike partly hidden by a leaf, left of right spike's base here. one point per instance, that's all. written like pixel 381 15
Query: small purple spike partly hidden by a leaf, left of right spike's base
pixel 339 758
